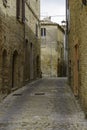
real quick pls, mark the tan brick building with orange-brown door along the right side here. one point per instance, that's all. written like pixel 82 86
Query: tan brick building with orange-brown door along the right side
pixel 77 47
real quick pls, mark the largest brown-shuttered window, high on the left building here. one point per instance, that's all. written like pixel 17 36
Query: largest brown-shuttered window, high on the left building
pixel 20 10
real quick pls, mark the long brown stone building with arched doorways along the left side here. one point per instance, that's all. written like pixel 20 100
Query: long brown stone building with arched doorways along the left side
pixel 19 43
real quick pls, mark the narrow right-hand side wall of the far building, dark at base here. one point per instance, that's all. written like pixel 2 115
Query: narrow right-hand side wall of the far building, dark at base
pixel 61 68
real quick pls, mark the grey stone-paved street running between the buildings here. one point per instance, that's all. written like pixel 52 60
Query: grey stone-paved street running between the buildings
pixel 47 104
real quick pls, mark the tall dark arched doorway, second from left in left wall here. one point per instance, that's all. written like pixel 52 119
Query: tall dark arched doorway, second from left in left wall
pixel 15 69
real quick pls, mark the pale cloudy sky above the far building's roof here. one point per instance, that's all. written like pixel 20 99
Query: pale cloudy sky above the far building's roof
pixel 53 8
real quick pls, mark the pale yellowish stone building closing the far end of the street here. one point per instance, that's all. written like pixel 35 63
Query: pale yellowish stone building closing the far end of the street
pixel 52 47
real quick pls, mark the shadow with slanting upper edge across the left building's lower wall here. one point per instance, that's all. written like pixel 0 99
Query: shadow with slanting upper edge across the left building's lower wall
pixel 14 63
